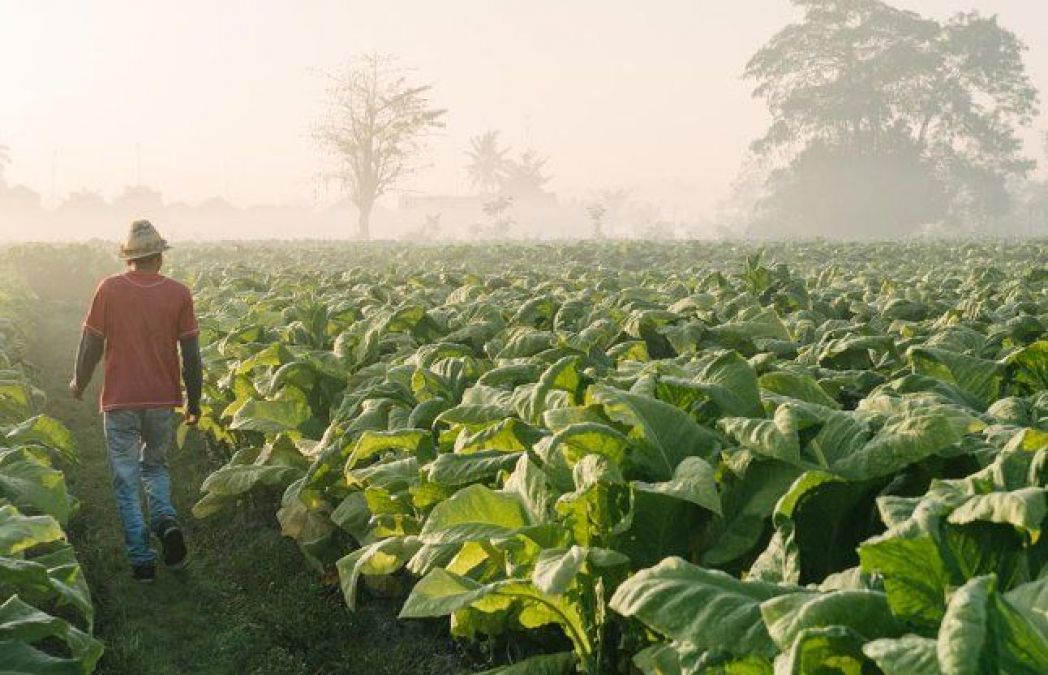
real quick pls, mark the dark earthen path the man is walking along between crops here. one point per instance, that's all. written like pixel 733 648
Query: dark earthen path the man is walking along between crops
pixel 248 604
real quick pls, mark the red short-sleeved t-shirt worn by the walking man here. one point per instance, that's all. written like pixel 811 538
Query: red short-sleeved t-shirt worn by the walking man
pixel 142 316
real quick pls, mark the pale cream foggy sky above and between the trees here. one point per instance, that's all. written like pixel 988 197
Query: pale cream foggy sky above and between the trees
pixel 219 98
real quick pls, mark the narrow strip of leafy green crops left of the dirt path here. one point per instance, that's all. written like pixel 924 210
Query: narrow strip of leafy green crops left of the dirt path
pixel 47 616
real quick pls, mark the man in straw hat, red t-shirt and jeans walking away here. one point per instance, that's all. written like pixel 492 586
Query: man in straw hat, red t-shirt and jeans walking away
pixel 140 320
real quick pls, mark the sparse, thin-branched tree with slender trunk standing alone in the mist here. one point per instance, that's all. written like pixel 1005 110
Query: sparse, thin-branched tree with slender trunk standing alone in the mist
pixel 377 127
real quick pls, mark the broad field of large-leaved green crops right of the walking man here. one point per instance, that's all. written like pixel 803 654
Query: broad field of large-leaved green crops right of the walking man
pixel 686 459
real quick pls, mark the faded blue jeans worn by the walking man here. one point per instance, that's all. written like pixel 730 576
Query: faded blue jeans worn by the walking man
pixel 139 442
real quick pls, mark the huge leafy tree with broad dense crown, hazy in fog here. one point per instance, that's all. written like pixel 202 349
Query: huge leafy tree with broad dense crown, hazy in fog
pixel 876 107
